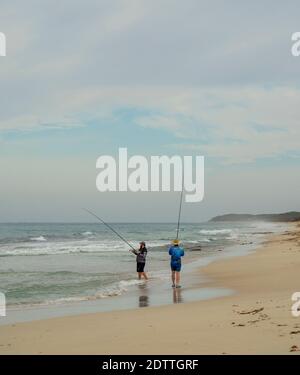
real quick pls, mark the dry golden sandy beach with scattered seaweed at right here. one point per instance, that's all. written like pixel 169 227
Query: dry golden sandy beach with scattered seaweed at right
pixel 256 319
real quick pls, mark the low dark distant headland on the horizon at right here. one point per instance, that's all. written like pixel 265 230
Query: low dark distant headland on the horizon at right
pixel 285 217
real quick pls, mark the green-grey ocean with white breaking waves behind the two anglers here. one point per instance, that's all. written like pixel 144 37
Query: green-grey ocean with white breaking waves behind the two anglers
pixel 54 264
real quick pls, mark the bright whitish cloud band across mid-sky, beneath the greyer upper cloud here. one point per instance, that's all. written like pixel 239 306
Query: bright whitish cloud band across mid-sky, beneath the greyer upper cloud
pixel 235 125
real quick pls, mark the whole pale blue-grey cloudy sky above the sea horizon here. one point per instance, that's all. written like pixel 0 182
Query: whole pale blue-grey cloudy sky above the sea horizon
pixel 161 77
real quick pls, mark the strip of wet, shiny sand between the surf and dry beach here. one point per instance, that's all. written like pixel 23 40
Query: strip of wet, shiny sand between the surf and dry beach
pixel 157 293
